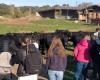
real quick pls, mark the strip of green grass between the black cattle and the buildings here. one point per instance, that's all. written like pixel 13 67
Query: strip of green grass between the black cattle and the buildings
pixel 45 25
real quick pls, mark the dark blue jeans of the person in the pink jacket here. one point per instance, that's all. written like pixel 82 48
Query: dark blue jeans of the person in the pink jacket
pixel 81 71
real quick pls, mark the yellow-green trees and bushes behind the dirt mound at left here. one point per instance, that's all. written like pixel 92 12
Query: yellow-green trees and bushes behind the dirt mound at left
pixel 16 12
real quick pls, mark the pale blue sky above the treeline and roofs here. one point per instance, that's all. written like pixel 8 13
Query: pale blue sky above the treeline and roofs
pixel 46 2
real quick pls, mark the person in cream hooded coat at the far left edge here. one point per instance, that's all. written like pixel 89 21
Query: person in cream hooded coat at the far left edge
pixel 5 67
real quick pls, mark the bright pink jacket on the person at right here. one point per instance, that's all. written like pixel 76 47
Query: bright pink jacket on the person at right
pixel 81 51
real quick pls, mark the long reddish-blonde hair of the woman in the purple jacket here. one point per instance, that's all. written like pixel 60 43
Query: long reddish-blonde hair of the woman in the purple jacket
pixel 56 42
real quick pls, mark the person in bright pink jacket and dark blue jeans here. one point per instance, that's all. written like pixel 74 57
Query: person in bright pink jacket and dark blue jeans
pixel 82 56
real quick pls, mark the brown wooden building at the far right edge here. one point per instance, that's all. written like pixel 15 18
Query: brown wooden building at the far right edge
pixel 89 13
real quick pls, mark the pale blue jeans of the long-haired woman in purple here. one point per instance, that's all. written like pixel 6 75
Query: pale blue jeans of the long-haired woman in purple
pixel 55 75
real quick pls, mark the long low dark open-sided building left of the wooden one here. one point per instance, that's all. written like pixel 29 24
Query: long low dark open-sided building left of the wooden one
pixel 59 12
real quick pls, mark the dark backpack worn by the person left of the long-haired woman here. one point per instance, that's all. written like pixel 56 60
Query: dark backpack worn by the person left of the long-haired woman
pixel 33 60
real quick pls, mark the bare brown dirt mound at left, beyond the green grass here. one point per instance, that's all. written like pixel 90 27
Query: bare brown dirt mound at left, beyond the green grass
pixel 22 20
